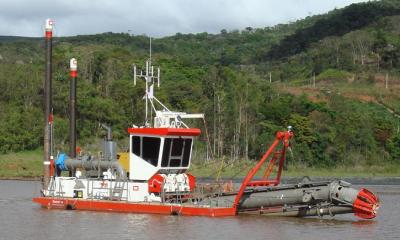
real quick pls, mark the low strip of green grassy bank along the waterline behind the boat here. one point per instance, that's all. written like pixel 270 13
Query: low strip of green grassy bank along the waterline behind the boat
pixel 28 164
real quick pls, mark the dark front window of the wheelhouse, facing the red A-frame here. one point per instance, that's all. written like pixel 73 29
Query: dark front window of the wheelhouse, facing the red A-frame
pixel 176 152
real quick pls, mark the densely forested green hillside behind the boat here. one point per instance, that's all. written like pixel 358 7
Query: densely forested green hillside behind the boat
pixel 327 75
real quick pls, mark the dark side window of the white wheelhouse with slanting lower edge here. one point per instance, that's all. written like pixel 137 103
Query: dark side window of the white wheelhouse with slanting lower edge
pixel 147 148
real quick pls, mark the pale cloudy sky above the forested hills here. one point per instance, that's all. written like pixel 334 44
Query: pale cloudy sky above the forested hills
pixel 156 18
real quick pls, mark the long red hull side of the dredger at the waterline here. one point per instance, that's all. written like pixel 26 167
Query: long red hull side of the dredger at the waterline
pixel 114 206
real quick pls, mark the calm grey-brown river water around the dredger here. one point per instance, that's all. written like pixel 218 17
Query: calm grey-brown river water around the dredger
pixel 22 219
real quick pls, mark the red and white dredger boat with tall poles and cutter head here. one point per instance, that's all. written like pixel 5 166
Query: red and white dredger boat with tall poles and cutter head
pixel 152 177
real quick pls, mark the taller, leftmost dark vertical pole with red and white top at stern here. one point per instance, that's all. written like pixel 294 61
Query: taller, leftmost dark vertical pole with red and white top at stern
pixel 48 116
